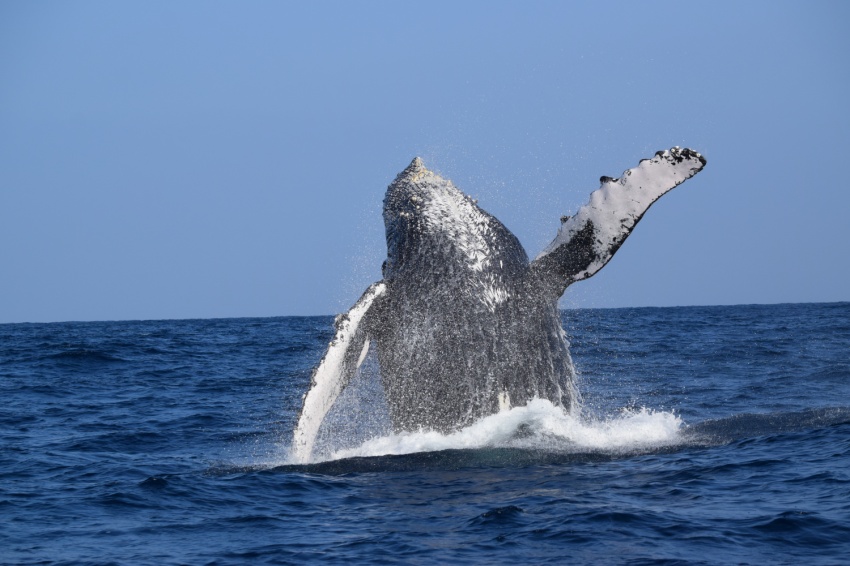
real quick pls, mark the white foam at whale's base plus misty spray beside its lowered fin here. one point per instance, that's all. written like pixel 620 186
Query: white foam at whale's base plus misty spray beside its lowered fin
pixel 359 426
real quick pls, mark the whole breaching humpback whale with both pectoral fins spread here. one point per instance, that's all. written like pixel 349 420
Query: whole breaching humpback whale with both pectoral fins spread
pixel 463 323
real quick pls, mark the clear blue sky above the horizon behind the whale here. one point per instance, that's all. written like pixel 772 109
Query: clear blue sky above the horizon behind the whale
pixel 201 159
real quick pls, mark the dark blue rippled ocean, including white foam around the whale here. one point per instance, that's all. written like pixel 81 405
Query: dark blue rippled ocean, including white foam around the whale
pixel 708 435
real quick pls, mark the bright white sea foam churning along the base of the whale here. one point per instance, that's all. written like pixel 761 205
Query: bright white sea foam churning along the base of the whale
pixel 539 425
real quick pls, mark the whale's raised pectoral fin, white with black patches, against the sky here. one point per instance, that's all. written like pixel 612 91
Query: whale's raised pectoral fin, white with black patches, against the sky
pixel 589 239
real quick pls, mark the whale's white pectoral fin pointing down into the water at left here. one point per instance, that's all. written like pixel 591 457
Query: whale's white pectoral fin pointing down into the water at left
pixel 344 355
